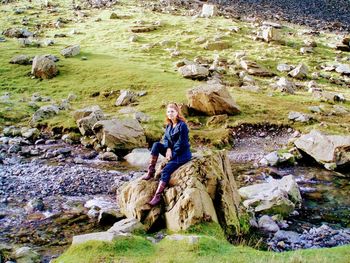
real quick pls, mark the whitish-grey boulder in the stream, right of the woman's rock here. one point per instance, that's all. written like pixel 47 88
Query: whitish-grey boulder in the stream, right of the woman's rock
pixel 275 197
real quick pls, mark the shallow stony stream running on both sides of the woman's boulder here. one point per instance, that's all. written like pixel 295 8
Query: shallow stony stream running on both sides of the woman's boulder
pixel 42 199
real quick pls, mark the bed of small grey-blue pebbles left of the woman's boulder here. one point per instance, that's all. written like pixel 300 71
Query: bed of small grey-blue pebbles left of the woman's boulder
pixel 30 180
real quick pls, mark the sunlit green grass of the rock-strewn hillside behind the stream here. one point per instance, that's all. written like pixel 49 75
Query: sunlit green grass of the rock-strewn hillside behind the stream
pixel 114 63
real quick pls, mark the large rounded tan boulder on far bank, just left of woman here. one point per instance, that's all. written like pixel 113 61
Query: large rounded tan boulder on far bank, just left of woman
pixel 118 134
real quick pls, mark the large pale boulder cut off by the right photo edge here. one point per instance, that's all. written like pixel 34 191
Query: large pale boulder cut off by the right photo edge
pixel 325 149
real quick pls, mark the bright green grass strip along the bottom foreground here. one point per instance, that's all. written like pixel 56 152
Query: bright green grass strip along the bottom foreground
pixel 208 249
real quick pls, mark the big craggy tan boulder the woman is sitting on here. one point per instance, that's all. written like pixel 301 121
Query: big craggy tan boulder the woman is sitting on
pixel 202 190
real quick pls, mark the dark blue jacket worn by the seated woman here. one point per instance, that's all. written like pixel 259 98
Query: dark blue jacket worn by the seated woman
pixel 177 140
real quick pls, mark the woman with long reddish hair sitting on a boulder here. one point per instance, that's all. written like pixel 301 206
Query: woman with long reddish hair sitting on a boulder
pixel 176 149
